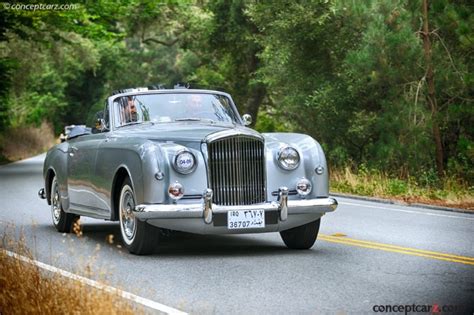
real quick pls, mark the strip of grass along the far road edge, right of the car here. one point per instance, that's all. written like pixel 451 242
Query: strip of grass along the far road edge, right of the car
pixel 449 192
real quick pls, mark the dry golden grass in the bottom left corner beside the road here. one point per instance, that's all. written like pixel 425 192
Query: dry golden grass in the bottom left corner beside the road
pixel 26 289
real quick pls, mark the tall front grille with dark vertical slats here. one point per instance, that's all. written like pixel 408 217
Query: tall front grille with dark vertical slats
pixel 237 170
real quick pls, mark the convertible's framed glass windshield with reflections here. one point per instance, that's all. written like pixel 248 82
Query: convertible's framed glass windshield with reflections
pixel 165 108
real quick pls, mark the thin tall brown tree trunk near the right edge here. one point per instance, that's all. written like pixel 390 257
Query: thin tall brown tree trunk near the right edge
pixel 431 96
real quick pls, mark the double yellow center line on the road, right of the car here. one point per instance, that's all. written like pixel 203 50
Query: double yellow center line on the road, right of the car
pixel 399 249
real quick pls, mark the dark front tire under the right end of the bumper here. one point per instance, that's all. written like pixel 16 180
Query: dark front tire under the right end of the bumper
pixel 301 237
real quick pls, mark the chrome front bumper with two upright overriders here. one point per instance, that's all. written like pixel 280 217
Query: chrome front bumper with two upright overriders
pixel 206 208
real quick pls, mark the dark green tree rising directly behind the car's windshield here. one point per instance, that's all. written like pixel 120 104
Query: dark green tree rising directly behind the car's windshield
pixel 230 55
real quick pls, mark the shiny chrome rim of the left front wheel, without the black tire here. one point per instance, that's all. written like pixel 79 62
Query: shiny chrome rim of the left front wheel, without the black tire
pixel 128 221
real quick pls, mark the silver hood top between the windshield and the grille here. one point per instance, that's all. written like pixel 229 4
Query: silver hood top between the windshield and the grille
pixel 183 132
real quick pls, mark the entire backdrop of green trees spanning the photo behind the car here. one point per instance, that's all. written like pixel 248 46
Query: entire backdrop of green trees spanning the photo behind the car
pixel 350 73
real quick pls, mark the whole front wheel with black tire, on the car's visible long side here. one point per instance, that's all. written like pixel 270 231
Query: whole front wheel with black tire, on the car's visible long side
pixel 139 237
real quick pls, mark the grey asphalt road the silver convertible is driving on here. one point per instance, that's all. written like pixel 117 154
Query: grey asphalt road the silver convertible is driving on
pixel 368 254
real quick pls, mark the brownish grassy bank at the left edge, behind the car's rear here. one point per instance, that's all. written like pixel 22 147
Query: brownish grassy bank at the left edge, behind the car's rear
pixel 22 142
